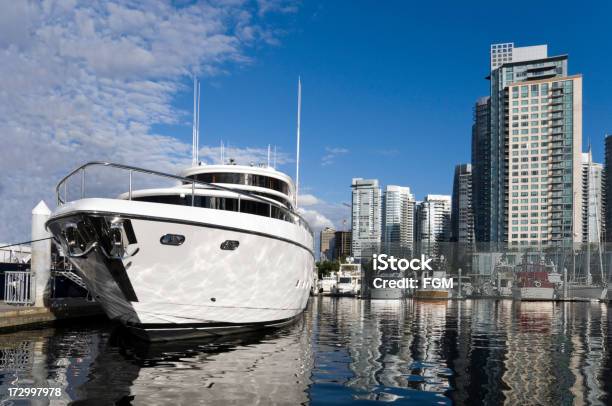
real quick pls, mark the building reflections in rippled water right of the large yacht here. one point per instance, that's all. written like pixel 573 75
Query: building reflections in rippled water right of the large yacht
pixel 473 352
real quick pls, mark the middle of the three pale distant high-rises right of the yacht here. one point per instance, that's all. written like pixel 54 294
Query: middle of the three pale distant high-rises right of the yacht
pixel 398 221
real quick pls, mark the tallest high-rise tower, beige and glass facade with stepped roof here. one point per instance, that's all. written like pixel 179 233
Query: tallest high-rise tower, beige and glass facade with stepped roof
pixel 536 146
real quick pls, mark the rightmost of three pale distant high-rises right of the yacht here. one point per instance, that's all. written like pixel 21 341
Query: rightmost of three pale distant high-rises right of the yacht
pixel 433 225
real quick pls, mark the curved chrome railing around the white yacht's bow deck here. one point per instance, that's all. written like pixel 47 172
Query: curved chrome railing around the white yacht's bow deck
pixel 290 216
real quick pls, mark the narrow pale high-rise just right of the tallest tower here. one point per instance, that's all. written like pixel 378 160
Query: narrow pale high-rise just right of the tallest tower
pixel 592 199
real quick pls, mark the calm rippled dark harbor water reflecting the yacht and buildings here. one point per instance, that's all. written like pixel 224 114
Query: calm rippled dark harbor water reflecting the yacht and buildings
pixel 342 351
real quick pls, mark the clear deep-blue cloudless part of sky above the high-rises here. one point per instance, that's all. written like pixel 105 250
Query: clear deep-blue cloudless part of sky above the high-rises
pixel 394 84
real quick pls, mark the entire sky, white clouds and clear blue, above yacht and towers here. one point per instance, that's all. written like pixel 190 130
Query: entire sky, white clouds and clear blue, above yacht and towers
pixel 388 87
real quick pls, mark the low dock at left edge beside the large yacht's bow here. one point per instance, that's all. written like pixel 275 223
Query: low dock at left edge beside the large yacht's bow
pixel 12 317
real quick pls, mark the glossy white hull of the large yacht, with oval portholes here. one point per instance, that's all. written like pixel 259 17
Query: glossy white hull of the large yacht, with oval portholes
pixel 202 286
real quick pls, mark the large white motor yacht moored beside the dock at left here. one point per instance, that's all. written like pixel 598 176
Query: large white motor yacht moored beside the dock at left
pixel 221 251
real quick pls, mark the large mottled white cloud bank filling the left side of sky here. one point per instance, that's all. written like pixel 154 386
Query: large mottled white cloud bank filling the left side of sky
pixel 86 81
